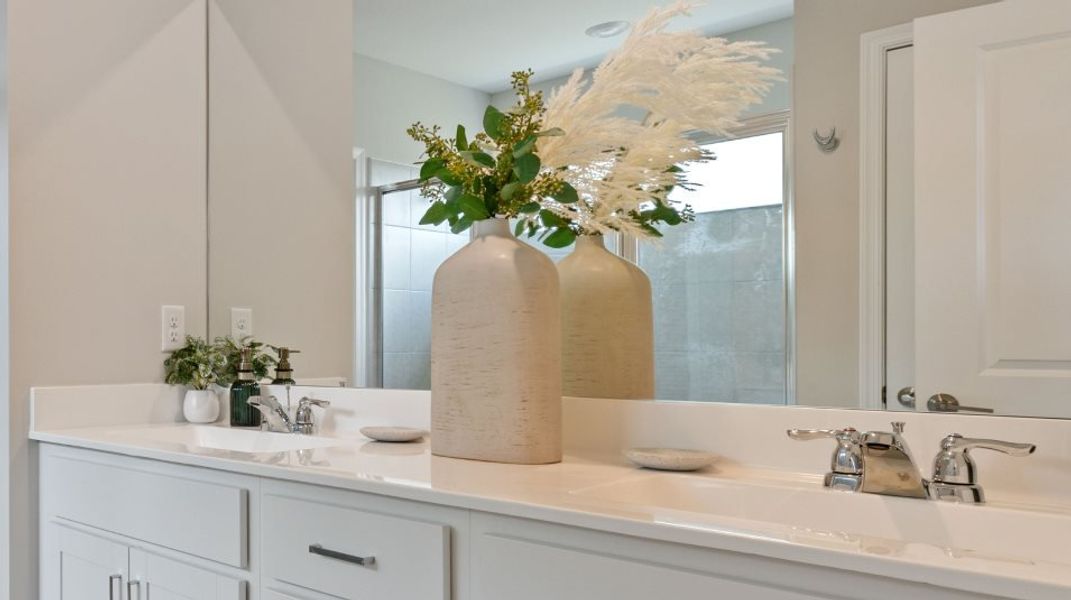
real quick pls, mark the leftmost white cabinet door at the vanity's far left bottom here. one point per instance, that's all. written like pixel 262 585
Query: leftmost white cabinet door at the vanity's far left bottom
pixel 84 567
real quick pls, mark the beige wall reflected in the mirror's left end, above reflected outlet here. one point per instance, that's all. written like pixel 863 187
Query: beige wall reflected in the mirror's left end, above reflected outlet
pixel 281 184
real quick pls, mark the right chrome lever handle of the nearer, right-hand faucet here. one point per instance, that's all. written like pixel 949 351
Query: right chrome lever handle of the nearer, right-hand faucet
pixel 956 475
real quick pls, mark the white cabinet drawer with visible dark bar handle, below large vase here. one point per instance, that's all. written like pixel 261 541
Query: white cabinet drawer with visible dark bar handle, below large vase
pixel 405 559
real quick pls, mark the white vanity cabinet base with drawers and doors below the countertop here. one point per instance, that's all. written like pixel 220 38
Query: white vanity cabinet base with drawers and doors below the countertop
pixel 116 528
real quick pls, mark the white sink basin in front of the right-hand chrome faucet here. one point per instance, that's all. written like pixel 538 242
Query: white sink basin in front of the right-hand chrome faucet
pixel 861 522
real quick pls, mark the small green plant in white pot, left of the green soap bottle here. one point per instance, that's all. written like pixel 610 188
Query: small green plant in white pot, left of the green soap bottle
pixel 197 366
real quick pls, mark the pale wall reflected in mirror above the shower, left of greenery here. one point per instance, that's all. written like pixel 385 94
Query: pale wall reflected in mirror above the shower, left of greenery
pixel 388 99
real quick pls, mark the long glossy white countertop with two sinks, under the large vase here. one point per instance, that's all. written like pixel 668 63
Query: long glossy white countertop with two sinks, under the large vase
pixel 772 514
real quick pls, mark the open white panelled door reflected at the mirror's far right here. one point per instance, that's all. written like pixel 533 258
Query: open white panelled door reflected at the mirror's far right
pixel 993 206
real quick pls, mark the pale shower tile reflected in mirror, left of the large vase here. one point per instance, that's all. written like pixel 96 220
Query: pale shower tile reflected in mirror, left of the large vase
pixel 411 256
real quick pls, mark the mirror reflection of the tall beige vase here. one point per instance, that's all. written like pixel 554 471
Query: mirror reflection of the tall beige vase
pixel 608 325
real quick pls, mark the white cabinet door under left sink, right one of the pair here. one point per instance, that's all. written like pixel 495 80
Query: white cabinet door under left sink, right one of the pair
pixel 165 579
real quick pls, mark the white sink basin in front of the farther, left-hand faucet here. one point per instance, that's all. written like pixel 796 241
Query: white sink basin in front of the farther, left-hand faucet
pixel 232 440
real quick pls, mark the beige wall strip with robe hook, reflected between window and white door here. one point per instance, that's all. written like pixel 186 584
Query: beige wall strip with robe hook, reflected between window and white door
pixel 827 186
